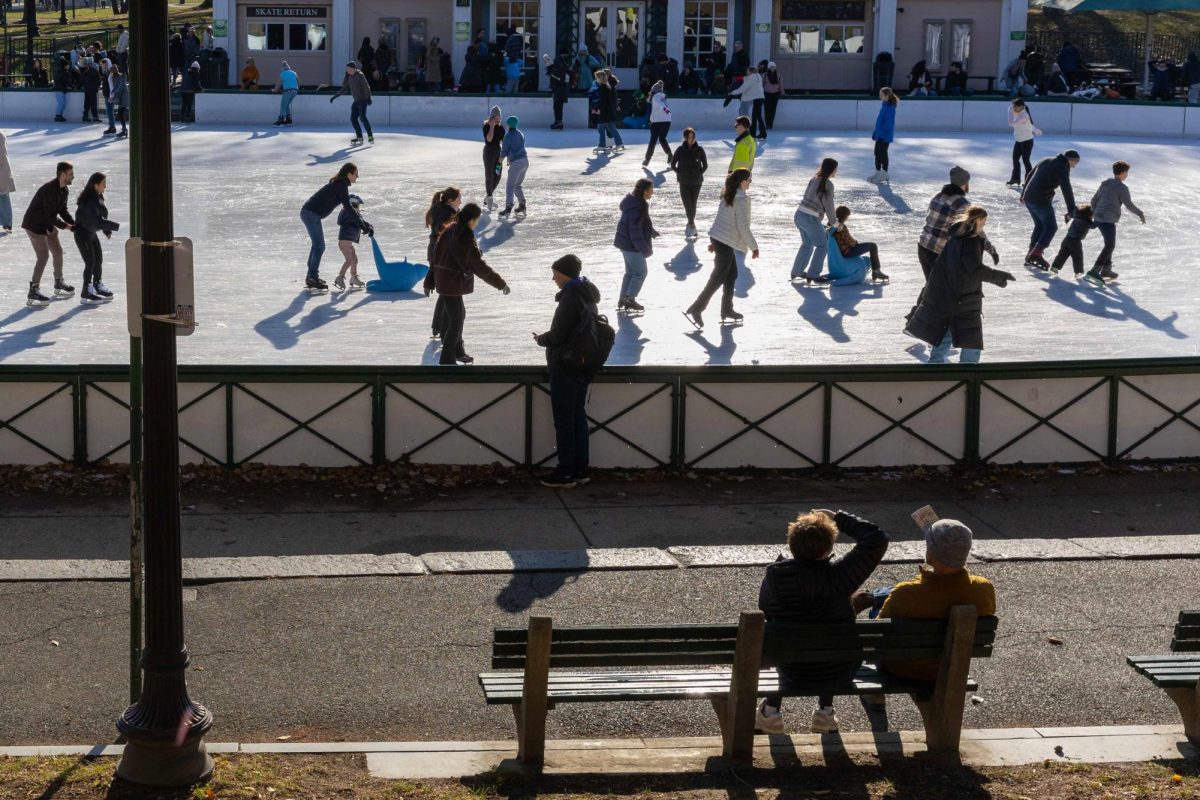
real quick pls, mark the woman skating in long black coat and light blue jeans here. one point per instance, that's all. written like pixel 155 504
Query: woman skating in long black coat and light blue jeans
pixel 951 309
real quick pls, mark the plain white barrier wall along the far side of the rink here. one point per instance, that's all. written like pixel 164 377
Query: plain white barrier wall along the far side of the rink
pixel 1057 117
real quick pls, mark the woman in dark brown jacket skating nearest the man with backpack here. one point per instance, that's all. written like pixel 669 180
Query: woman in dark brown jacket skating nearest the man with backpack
pixel 457 263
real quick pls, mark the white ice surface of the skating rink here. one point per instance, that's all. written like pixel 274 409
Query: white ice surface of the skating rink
pixel 238 194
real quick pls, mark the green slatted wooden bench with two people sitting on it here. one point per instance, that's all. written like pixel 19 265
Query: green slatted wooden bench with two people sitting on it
pixel 724 664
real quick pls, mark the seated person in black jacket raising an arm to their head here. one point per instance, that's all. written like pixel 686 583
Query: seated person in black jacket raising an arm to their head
pixel 812 587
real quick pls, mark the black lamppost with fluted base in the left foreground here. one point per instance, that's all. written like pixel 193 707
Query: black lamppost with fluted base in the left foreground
pixel 165 729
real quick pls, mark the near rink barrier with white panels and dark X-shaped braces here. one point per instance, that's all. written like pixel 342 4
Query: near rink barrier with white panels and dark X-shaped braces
pixel 676 418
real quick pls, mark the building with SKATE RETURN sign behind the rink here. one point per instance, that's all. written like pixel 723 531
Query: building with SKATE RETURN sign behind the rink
pixel 818 45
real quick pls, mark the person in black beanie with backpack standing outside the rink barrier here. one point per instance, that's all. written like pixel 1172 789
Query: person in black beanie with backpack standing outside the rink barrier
pixel 568 389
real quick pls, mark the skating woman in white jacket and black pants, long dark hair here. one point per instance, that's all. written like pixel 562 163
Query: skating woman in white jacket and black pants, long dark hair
pixel 730 232
